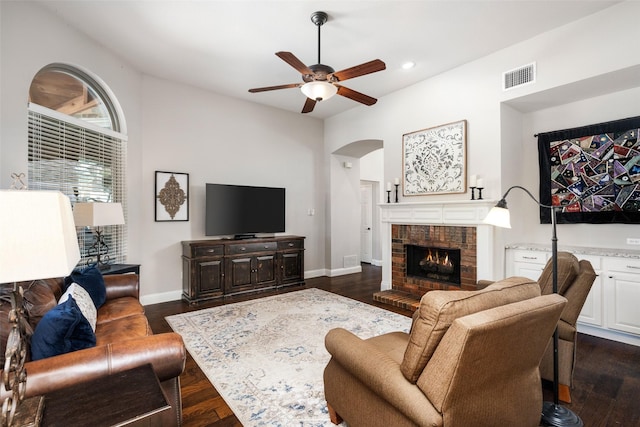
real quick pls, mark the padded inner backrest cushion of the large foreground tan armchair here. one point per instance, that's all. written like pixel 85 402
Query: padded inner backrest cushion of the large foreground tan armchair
pixel 438 309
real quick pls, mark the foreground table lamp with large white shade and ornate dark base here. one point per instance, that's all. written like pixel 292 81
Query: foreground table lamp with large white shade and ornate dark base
pixel 38 240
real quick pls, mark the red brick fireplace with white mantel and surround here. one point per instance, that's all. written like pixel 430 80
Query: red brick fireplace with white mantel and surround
pixel 440 226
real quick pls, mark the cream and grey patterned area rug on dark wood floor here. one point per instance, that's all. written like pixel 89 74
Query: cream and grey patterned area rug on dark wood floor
pixel 266 356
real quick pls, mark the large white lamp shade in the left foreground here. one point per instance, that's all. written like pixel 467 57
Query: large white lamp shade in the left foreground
pixel 37 235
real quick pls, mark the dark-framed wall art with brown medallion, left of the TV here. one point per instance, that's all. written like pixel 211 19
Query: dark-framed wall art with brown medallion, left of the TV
pixel 172 196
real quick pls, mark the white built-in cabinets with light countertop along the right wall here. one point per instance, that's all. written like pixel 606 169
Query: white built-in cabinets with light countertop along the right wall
pixel 611 309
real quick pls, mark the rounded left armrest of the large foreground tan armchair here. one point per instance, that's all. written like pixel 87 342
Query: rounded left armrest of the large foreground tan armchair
pixel 376 370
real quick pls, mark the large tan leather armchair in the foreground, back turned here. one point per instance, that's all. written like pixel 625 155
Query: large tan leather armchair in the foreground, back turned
pixel 471 359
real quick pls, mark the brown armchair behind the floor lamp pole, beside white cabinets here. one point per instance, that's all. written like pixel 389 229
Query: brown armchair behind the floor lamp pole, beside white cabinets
pixel 575 279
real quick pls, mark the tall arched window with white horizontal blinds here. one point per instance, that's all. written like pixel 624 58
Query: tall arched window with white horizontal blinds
pixel 76 147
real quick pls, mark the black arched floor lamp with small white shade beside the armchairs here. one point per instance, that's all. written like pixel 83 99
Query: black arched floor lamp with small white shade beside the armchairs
pixel 553 414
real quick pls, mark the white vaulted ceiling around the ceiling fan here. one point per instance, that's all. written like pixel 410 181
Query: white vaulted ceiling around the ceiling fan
pixel 229 47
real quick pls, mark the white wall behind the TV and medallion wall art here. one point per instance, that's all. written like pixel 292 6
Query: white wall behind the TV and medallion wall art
pixel 221 140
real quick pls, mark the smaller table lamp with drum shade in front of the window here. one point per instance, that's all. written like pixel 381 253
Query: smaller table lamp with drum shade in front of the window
pixel 97 214
